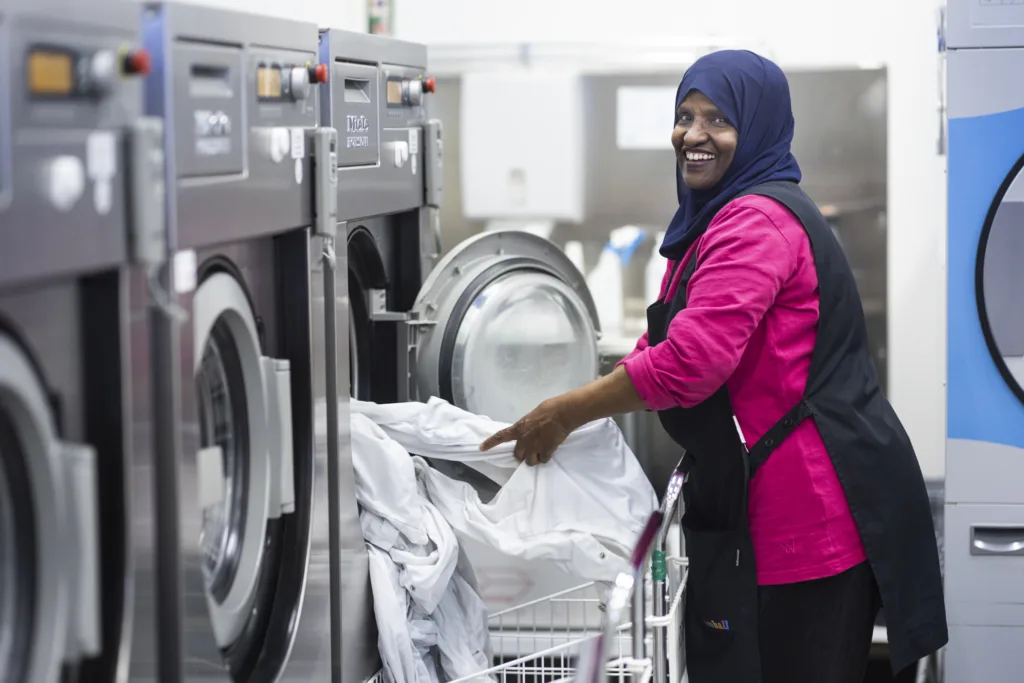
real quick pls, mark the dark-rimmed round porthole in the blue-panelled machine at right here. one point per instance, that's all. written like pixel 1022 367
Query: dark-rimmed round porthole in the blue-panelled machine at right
pixel 1000 280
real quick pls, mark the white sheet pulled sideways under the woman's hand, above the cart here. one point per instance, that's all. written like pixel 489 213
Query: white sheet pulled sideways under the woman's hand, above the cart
pixel 582 511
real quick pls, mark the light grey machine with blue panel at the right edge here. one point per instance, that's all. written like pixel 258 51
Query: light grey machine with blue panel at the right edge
pixel 985 508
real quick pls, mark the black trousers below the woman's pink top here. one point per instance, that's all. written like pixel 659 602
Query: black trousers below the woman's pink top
pixel 819 631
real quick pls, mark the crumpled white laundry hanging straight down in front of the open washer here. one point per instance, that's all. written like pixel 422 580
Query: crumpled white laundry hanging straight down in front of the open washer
pixel 425 602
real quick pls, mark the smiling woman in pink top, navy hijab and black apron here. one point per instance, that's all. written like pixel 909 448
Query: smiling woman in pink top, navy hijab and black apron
pixel 758 339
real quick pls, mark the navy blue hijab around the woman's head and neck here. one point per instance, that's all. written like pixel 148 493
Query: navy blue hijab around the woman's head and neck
pixel 754 96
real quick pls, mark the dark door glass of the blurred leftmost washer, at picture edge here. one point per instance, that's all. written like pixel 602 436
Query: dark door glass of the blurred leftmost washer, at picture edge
pixel 17 557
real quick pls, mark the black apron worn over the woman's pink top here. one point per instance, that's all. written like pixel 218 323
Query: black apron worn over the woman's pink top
pixel 869 448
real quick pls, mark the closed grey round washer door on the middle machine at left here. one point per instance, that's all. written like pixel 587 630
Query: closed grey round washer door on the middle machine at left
pixel 243 467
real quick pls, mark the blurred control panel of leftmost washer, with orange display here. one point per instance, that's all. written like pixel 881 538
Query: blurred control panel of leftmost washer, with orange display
pixel 71 93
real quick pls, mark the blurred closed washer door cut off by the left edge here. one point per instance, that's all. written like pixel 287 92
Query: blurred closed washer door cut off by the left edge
pixel 50 558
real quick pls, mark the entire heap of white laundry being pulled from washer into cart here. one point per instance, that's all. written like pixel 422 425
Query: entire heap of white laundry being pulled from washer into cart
pixel 581 513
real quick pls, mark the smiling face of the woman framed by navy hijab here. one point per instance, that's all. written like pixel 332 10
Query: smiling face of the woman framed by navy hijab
pixel 705 142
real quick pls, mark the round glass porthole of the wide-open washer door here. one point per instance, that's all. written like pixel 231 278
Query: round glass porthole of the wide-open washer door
pixel 525 337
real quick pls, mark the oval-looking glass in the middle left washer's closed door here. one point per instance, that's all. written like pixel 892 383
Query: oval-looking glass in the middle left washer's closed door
pixel 225 423
